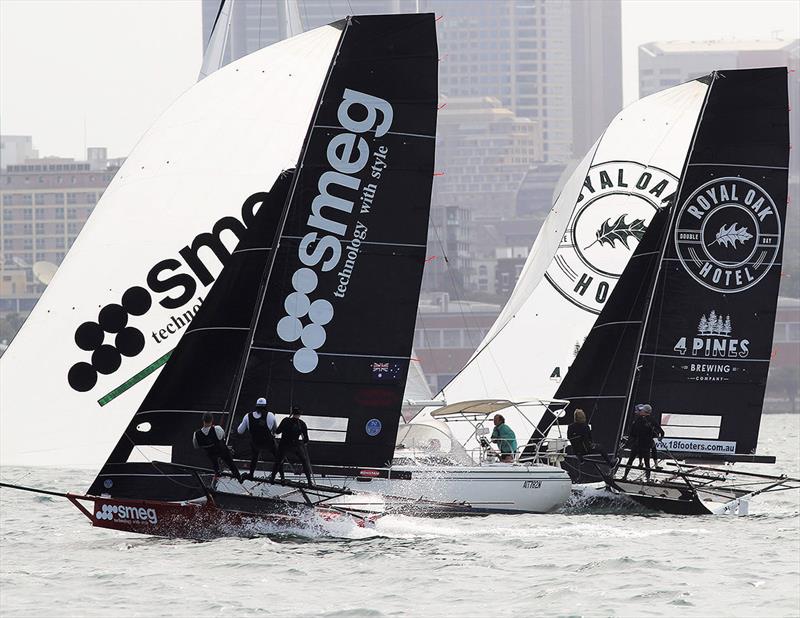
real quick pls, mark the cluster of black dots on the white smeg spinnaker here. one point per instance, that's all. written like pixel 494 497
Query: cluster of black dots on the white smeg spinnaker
pixel 91 337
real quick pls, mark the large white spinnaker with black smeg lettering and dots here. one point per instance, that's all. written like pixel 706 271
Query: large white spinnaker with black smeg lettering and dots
pixel 148 253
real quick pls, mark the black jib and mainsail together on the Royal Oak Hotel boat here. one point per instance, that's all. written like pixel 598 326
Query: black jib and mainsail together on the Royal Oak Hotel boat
pixel 689 327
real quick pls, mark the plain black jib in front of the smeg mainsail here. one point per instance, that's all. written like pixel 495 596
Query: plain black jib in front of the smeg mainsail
pixel 202 372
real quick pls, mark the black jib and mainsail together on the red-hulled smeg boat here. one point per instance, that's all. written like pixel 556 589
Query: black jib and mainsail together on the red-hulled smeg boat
pixel 316 307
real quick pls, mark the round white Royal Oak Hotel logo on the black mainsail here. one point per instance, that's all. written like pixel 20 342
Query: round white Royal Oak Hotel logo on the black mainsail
pixel 728 234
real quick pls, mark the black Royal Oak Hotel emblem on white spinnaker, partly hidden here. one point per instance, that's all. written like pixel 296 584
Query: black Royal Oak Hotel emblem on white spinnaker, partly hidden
pixel 616 204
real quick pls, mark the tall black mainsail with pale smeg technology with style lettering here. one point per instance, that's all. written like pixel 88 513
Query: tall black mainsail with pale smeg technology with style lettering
pixel 335 331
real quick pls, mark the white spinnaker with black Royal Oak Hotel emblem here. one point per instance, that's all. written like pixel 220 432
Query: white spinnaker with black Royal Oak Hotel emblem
pixel 581 250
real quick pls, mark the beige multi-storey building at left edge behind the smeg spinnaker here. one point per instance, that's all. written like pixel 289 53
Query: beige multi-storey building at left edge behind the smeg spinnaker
pixel 45 203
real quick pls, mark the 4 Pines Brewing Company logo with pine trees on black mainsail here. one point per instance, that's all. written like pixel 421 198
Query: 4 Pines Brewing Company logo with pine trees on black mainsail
pixel 711 348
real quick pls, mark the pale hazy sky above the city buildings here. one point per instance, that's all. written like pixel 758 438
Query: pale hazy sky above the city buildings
pixel 99 72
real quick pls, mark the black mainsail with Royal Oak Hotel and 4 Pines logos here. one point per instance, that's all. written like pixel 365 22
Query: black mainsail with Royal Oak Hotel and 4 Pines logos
pixel 708 341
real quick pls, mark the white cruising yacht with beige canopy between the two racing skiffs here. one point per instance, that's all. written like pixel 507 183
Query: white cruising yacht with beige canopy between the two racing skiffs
pixel 434 469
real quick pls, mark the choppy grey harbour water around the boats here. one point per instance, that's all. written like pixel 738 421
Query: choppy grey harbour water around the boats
pixel 577 563
